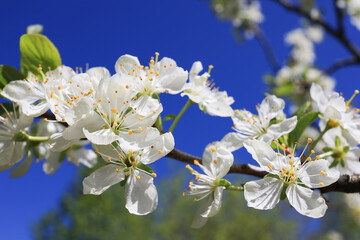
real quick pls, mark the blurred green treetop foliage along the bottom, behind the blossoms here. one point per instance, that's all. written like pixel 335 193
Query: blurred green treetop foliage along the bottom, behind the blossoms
pixel 105 217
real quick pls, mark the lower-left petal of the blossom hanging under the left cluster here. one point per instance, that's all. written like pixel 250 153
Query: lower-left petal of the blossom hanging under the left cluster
pixel 103 178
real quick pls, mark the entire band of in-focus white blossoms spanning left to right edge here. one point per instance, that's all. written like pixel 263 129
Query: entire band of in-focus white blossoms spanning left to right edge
pixel 120 115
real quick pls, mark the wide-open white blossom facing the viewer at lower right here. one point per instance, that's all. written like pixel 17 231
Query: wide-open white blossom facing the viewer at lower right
pixel 290 177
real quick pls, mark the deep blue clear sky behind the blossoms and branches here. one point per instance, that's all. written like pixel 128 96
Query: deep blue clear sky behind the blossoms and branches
pixel 98 33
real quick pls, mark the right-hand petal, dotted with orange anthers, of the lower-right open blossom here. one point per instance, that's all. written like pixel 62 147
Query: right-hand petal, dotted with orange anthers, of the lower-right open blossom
pixel 310 174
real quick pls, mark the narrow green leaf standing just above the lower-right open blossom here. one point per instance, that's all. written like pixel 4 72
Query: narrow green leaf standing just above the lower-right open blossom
pixel 303 122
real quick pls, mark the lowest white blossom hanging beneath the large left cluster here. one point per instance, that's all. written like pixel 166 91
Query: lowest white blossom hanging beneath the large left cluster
pixel 128 164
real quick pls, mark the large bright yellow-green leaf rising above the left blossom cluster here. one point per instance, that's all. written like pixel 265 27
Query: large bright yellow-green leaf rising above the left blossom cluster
pixel 37 49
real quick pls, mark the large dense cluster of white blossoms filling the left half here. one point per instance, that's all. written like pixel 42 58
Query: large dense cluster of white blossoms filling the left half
pixel 117 114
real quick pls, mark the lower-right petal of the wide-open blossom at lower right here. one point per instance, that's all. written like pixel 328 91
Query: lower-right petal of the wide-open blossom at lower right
pixel 306 201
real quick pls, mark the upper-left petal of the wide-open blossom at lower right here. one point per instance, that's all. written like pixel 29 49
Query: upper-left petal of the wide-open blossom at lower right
pixel 263 154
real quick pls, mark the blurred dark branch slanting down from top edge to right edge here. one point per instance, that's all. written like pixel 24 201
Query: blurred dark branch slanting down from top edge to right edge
pixel 336 33
